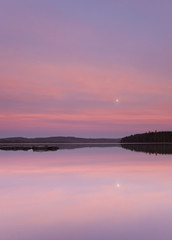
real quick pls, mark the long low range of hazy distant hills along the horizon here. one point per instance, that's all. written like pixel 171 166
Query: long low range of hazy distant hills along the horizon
pixel 58 140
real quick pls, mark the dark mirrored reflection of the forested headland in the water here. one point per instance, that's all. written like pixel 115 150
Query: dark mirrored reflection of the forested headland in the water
pixel 149 148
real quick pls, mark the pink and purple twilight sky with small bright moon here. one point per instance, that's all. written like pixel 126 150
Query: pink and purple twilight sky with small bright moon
pixel 86 68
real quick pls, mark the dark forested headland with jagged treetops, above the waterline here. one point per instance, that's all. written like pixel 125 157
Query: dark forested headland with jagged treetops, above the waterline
pixel 149 137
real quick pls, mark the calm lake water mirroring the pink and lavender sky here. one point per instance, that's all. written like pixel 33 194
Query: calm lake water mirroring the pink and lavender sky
pixel 92 193
